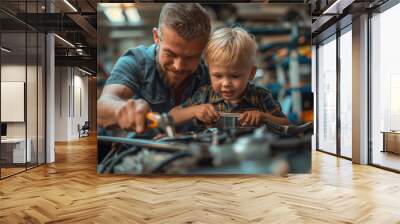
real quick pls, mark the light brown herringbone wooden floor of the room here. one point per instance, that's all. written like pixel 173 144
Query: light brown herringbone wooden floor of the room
pixel 70 191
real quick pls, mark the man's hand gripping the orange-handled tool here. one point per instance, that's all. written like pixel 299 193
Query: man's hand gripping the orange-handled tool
pixel 132 115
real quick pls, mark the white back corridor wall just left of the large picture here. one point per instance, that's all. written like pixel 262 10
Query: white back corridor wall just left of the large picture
pixel 70 83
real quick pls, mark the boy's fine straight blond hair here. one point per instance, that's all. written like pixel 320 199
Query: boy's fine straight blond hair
pixel 228 46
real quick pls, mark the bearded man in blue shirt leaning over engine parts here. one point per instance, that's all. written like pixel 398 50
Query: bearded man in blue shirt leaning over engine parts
pixel 160 76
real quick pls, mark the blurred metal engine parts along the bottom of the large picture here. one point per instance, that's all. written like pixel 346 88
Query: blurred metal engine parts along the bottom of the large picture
pixel 211 151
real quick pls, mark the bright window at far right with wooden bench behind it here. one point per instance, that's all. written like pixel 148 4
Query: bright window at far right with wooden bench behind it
pixel 385 89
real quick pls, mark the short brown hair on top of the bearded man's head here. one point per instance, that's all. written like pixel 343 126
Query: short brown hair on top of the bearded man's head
pixel 189 20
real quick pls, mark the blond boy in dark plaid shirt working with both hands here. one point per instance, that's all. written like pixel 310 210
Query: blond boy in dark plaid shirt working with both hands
pixel 230 56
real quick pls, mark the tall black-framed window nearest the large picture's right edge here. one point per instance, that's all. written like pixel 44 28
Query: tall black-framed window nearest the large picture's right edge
pixel 334 94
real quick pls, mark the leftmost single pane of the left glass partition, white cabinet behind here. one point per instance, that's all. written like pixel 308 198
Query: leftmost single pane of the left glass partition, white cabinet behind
pixel 13 90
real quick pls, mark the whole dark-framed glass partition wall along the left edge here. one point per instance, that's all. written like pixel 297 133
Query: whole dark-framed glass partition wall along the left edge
pixel 22 77
